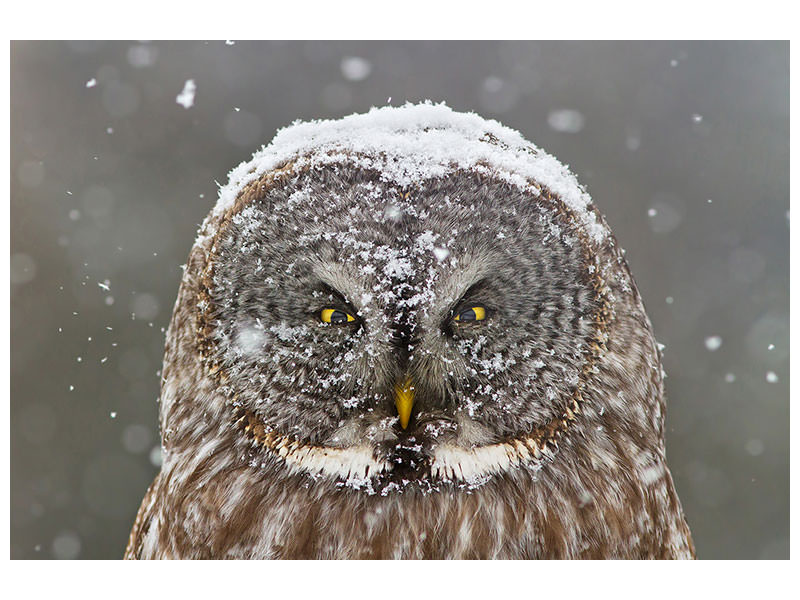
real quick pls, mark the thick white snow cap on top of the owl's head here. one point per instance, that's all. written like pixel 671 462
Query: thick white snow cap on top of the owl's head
pixel 410 144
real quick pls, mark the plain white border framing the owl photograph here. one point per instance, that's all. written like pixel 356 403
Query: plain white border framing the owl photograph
pixel 408 20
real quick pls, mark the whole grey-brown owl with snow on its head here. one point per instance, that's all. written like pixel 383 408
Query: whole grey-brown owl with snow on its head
pixel 409 334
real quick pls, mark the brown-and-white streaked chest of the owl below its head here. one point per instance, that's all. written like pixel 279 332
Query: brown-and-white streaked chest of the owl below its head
pixel 242 514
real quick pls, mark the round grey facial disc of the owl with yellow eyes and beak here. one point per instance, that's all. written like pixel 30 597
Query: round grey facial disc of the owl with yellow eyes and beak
pixel 387 335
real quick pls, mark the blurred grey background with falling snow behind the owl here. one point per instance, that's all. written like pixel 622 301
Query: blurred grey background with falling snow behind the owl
pixel 683 145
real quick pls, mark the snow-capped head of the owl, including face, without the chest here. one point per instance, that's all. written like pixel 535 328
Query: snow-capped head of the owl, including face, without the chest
pixel 407 298
